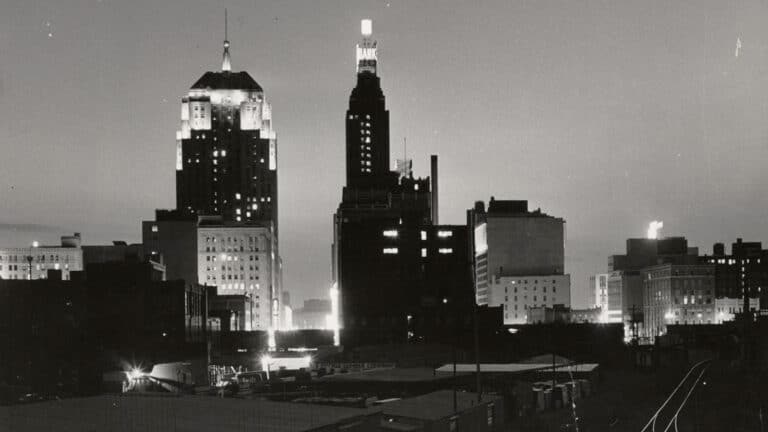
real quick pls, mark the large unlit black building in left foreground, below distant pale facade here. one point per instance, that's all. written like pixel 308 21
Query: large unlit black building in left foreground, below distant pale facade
pixel 63 334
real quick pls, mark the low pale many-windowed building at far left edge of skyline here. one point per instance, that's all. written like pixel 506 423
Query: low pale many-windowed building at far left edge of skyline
pixel 34 262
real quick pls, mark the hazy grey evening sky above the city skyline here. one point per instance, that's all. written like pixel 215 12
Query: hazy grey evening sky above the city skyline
pixel 608 114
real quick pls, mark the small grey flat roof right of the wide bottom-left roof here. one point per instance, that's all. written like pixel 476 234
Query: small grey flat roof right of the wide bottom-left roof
pixel 435 405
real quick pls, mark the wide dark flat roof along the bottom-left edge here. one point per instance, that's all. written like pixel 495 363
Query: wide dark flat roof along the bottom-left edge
pixel 170 412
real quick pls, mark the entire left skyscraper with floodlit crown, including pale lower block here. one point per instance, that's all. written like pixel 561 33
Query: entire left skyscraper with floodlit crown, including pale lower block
pixel 224 231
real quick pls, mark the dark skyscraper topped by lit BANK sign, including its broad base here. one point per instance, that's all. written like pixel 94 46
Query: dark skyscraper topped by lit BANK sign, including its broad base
pixel 393 268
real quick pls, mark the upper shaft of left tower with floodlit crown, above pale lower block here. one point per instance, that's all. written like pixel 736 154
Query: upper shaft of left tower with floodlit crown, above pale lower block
pixel 226 150
